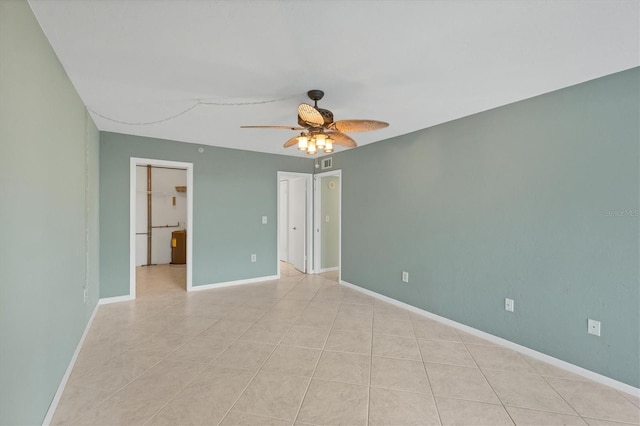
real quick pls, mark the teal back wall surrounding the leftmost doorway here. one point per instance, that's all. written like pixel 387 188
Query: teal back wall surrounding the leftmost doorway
pixel 233 189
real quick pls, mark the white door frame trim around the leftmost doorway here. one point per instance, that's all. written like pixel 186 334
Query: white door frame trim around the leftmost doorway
pixel 134 161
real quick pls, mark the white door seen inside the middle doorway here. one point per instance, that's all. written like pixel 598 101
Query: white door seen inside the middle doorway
pixel 297 223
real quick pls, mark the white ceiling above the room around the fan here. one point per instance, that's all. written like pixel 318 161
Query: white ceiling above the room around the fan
pixel 414 64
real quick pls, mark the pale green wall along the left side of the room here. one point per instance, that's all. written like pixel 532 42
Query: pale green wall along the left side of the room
pixel 49 212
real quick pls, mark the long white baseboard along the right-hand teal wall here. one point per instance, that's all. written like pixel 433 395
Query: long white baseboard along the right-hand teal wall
pixel 599 378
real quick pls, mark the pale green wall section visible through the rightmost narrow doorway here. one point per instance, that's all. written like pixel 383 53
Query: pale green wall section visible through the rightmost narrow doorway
pixel 329 231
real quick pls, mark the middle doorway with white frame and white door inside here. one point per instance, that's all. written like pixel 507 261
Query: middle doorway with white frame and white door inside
pixel 295 223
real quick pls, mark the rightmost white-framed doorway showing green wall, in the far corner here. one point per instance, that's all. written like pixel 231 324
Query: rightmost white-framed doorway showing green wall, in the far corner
pixel 327 221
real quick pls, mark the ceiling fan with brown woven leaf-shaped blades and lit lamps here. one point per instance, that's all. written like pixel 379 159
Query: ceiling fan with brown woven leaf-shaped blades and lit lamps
pixel 319 131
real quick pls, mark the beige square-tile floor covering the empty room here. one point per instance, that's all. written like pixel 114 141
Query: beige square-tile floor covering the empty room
pixel 304 350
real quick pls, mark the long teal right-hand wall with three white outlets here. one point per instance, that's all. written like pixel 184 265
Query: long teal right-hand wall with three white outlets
pixel 535 201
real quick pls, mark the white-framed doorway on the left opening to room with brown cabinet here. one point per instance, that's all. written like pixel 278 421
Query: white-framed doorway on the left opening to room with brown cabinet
pixel 161 212
